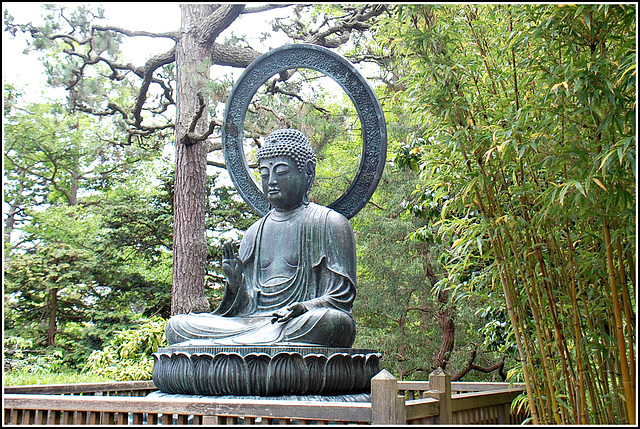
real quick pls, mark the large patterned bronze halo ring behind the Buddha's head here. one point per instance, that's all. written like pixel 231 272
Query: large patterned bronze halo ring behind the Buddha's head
pixel 374 130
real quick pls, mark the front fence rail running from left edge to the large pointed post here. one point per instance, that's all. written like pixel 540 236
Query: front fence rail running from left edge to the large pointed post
pixel 116 410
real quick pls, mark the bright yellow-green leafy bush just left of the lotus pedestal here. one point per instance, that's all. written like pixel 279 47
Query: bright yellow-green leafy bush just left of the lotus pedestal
pixel 128 356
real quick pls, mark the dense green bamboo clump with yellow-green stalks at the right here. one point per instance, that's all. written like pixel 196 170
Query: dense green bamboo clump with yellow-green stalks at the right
pixel 526 157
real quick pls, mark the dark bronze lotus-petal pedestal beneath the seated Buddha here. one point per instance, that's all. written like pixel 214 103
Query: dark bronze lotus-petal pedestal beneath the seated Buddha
pixel 197 369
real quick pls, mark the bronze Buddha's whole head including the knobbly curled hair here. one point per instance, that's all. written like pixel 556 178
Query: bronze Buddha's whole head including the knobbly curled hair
pixel 287 164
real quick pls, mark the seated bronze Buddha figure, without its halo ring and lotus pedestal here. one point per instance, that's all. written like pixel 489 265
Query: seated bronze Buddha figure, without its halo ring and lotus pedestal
pixel 293 280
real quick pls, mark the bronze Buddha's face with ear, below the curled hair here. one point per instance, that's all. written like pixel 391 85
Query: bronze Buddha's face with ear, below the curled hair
pixel 283 184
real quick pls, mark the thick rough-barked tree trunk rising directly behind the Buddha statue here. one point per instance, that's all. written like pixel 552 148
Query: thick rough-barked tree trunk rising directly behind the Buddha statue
pixel 189 243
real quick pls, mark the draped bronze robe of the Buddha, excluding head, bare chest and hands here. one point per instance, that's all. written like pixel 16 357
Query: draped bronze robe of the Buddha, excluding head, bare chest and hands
pixel 324 281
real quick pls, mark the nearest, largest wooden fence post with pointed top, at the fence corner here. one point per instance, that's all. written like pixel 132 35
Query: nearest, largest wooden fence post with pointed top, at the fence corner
pixel 387 408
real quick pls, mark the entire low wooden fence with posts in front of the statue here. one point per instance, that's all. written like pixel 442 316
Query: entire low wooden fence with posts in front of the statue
pixel 437 401
